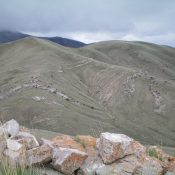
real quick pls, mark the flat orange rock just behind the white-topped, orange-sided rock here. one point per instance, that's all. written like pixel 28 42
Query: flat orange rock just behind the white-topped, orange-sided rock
pixel 66 141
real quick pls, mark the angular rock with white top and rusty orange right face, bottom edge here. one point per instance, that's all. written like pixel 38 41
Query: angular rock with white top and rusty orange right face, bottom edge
pixel 67 160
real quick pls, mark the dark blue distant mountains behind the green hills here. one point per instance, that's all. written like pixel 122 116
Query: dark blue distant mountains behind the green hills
pixel 8 36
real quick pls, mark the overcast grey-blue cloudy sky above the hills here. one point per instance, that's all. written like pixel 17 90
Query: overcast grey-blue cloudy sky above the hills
pixel 92 20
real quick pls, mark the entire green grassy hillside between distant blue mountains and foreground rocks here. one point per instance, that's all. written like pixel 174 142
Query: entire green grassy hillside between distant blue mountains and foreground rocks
pixel 126 87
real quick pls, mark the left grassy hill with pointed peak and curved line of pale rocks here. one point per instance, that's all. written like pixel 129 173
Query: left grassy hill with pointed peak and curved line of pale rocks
pixel 39 88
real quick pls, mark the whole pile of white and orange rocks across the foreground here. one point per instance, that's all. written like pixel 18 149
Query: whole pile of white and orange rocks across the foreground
pixel 111 154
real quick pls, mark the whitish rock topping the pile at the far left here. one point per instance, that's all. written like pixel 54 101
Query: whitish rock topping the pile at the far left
pixel 11 127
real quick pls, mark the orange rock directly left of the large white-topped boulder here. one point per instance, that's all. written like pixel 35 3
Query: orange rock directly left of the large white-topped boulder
pixel 88 142
